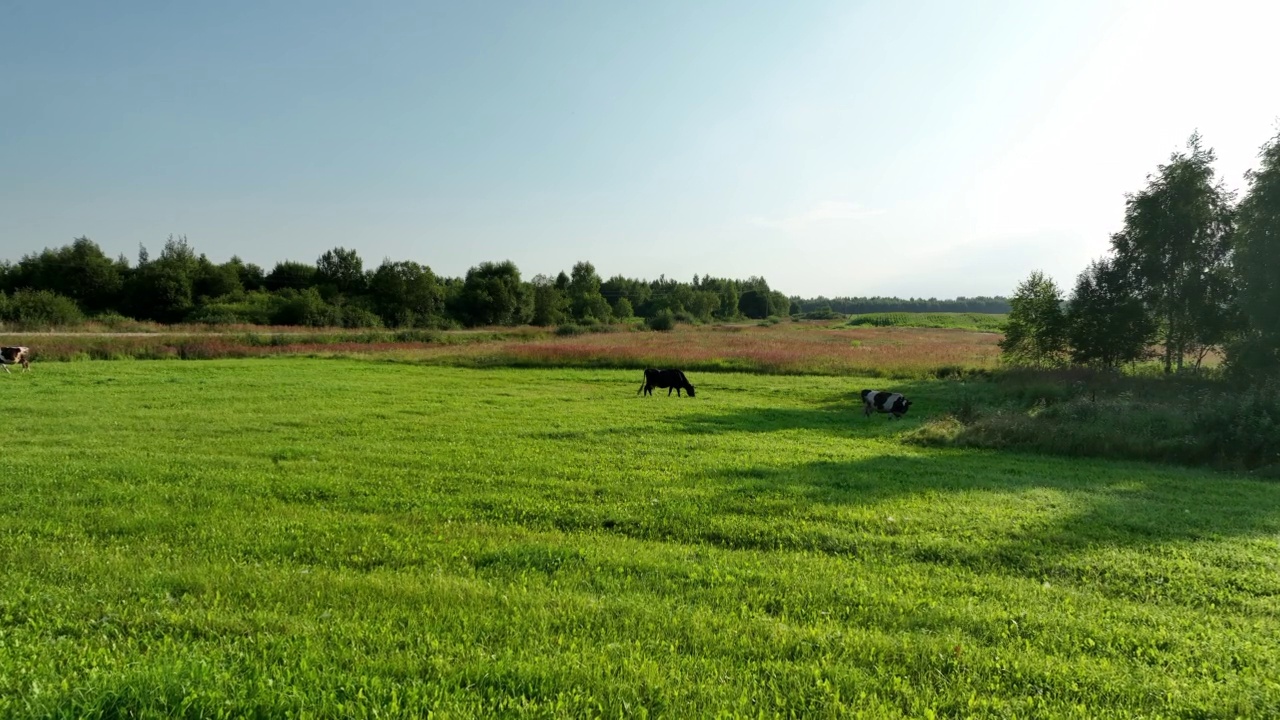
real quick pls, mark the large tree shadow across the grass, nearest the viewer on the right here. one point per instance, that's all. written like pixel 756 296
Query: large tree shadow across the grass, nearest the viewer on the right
pixel 1087 504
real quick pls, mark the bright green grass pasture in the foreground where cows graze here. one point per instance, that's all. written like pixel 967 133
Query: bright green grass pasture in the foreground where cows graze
pixel 348 539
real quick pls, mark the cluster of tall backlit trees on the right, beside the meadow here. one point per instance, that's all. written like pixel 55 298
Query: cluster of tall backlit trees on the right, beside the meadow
pixel 1191 272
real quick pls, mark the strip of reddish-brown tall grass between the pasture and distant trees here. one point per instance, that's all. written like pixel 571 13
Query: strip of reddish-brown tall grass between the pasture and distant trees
pixel 811 348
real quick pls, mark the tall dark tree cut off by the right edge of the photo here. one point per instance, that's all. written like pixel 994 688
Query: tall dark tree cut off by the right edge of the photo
pixel 1258 267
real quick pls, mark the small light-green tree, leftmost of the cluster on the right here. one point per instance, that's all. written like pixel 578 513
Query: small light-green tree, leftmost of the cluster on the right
pixel 1036 330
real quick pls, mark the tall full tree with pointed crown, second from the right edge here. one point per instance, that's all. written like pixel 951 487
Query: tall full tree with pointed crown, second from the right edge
pixel 1177 245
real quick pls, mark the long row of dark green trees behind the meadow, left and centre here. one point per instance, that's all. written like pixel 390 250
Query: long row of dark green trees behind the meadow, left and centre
pixel 63 286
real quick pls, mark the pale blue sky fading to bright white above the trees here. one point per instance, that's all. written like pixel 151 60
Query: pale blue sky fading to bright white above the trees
pixel 911 149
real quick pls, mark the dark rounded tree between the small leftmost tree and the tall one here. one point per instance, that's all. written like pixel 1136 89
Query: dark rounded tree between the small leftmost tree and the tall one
pixel 1108 323
